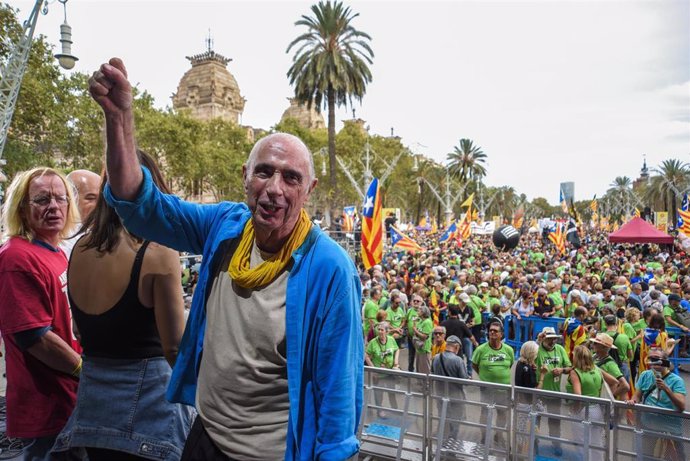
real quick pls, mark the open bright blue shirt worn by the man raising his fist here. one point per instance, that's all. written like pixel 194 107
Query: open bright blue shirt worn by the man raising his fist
pixel 325 352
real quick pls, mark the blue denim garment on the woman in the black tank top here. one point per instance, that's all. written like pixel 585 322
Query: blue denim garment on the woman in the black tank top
pixel 121 406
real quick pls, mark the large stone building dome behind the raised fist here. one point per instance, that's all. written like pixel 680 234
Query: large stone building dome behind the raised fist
pixel 208 90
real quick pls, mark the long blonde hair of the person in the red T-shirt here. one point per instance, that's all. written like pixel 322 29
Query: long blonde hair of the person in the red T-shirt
pixel 14 209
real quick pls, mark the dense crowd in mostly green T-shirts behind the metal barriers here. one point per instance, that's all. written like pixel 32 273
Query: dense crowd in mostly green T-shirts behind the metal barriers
pixel 606 308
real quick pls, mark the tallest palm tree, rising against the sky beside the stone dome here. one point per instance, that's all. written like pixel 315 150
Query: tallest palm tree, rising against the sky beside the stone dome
pixel 330 65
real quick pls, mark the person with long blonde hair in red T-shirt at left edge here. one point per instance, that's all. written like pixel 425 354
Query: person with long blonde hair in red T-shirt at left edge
pixel 43 356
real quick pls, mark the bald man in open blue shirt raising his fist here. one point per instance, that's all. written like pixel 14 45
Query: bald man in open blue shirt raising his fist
pixel 272 356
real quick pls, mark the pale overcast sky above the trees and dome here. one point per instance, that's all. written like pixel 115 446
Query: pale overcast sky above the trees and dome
pixel 552 91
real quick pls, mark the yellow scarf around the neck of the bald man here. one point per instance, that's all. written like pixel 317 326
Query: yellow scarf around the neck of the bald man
pixel 267 271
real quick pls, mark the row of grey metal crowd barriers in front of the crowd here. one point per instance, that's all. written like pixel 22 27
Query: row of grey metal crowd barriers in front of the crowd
pixel 410 416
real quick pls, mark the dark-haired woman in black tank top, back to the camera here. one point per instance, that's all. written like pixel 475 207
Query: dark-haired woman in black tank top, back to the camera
pixel 126 300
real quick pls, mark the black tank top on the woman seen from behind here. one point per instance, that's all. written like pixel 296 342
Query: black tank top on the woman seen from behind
pixel 125 331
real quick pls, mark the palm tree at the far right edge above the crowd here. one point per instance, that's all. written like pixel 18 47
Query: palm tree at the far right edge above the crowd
pixel 671 179
